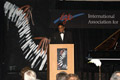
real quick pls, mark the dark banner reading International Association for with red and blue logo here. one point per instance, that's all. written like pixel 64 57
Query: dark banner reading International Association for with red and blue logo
pixel 85 19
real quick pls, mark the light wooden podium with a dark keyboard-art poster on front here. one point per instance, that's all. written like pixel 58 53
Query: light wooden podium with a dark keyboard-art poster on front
pixel 60 58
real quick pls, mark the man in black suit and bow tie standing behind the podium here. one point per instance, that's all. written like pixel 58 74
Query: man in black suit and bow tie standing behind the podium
pixel 62 36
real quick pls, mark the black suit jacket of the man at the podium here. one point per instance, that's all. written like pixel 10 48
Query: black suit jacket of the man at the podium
pixel 56 38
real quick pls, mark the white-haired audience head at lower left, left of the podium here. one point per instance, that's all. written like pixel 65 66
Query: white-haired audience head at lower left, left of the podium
pixel 30 75
